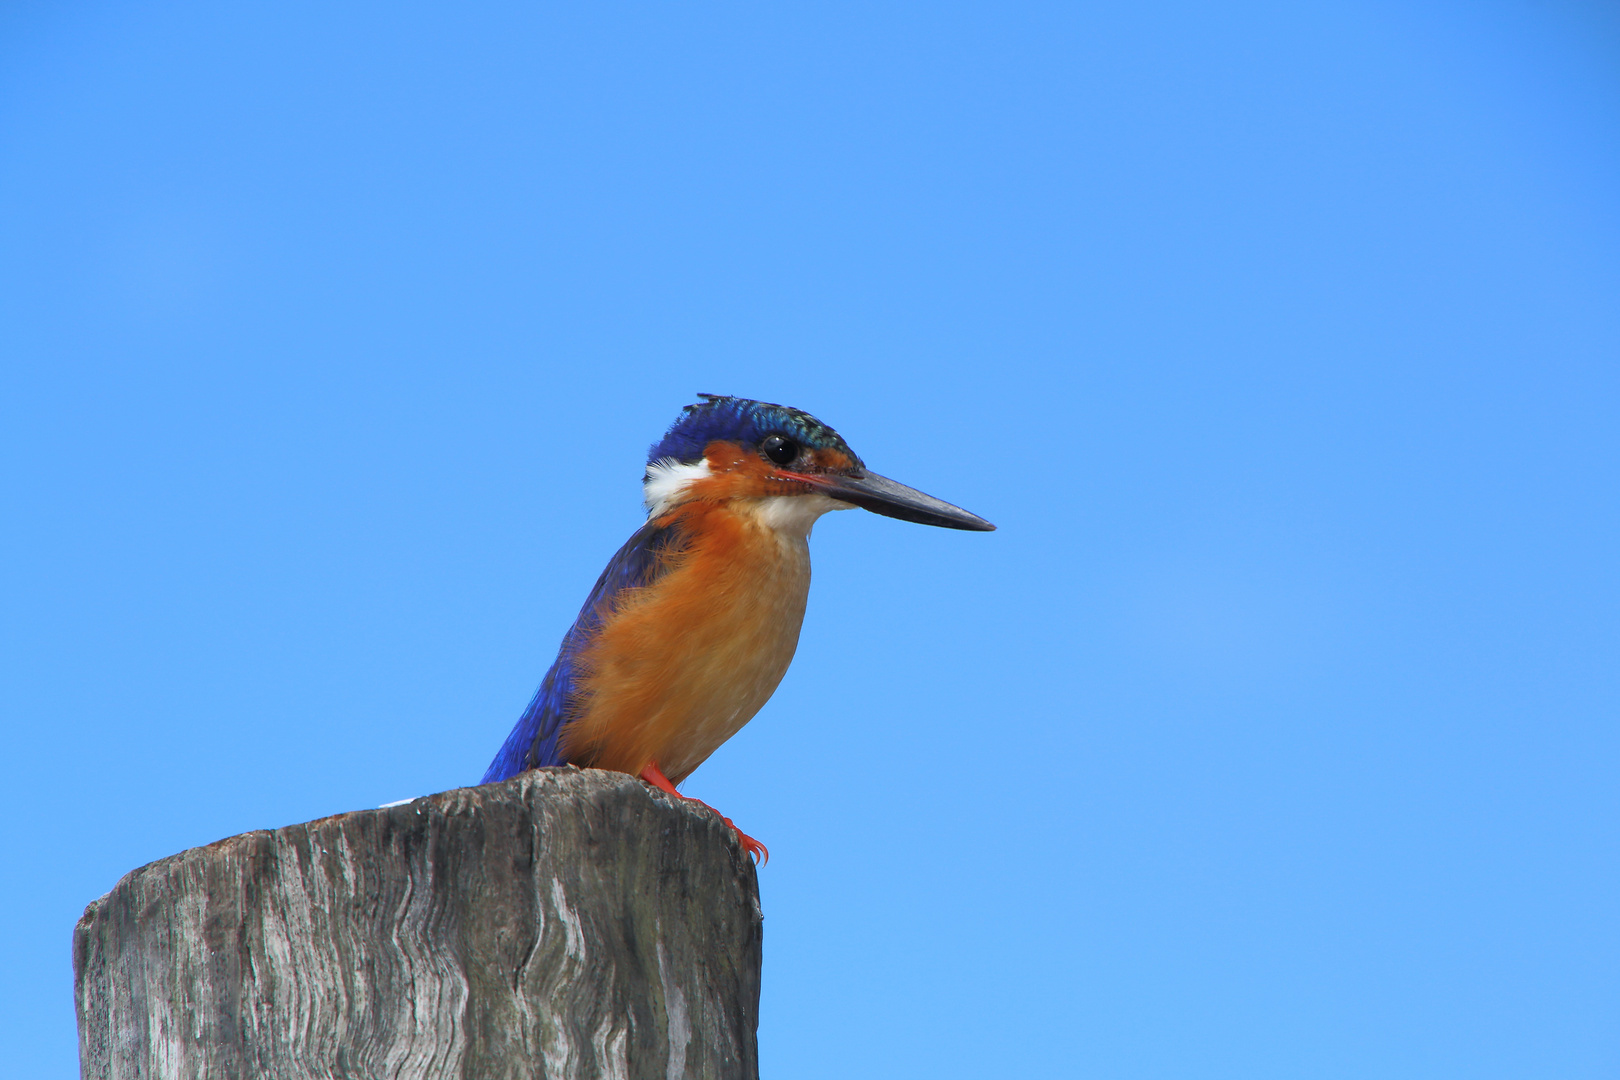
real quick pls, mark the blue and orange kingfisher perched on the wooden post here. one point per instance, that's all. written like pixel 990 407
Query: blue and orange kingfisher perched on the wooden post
pixel 696 619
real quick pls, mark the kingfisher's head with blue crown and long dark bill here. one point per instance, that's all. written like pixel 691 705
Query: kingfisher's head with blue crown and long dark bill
pixel 727 448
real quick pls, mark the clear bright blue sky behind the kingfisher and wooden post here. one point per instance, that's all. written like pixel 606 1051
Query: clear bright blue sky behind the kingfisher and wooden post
pixel 1274 734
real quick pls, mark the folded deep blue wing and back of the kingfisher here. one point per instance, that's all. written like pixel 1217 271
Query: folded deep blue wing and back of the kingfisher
pixel 535 741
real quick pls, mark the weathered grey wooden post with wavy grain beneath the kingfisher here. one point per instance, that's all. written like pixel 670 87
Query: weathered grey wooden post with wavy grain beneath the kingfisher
pixel 563 924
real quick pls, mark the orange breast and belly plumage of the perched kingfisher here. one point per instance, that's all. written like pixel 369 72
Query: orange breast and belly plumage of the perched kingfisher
pixel 683 665
